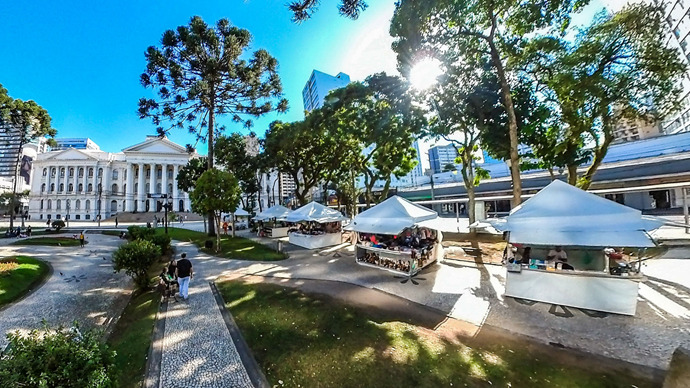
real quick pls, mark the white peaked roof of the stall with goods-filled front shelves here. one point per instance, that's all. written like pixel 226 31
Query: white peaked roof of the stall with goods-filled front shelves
pixel 392 216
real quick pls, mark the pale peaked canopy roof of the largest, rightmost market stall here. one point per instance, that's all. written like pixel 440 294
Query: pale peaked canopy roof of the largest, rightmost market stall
pixel 562 214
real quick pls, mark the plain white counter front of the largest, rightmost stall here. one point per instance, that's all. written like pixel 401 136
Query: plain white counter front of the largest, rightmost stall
pixel 582 289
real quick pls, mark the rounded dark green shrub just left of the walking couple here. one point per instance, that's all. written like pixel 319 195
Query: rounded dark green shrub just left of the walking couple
pixel 135 258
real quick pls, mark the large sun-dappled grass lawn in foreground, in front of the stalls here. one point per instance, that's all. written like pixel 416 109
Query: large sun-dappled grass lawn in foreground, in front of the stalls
pixel 311 342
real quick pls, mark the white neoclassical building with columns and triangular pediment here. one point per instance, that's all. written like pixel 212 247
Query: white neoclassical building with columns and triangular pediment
pixel 85 184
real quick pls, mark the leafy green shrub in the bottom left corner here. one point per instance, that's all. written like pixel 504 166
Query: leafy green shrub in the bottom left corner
pixel 57 358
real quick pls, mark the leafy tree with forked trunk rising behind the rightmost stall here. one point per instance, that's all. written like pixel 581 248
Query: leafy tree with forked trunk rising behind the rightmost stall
pixel 618 68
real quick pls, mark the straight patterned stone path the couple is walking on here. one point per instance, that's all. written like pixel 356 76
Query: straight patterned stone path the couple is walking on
pixel 198 350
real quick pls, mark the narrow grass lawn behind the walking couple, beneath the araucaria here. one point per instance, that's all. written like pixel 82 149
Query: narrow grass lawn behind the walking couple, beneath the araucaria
pixel 231 248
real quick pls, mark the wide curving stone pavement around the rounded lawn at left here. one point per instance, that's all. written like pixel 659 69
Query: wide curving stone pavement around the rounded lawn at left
pixel 87 291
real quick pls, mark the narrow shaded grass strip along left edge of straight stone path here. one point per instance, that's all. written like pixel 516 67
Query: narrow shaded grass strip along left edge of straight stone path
pixel 131 337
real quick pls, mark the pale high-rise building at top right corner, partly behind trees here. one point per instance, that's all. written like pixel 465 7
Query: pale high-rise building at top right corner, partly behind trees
pixel 678 21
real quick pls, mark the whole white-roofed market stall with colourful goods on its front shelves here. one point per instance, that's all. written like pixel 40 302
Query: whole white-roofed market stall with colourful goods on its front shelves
pixel 395 236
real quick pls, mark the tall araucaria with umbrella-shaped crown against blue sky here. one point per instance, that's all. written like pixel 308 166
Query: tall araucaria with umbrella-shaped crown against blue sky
pixel 200 72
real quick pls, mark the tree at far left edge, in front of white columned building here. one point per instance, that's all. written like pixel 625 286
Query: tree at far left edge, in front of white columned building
pixel 26 121
